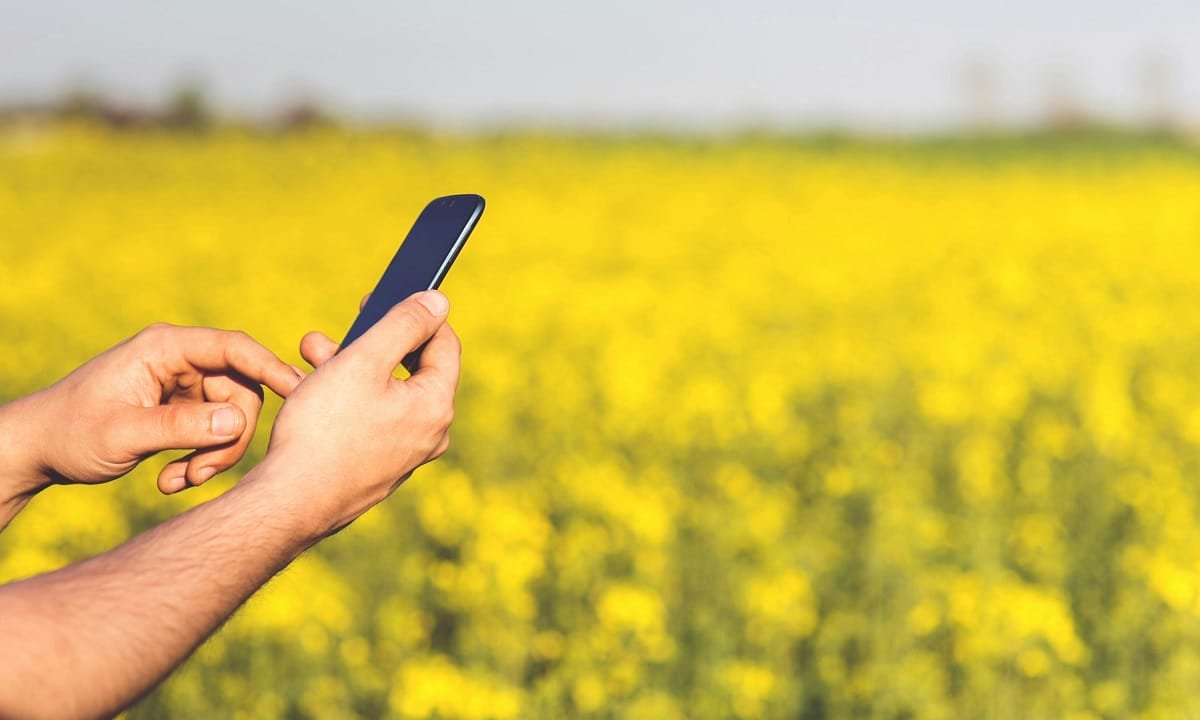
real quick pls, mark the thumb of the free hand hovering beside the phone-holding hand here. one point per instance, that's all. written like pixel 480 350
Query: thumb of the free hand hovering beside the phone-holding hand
pixel 184 427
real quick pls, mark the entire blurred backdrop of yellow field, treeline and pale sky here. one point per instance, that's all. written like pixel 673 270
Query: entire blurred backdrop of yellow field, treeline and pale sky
pixel 821 361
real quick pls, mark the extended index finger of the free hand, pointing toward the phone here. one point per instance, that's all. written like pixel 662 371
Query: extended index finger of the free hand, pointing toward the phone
pixel 221 351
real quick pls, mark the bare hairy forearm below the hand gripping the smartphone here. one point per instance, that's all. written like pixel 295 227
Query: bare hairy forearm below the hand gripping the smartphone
pixel 91 639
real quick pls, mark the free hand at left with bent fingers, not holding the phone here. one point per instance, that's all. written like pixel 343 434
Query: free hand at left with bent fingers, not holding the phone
pixel 166 388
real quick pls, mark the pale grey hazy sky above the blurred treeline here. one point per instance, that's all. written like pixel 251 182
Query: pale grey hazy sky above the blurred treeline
pixel 707 63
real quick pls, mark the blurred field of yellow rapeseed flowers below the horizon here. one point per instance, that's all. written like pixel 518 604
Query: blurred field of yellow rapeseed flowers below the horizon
pixel 747 430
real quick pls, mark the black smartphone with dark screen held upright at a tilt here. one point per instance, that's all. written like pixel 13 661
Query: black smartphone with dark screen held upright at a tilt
pixel 423 261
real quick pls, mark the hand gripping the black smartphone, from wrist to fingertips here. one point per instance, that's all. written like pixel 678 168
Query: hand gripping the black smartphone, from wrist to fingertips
pixel 352 431
